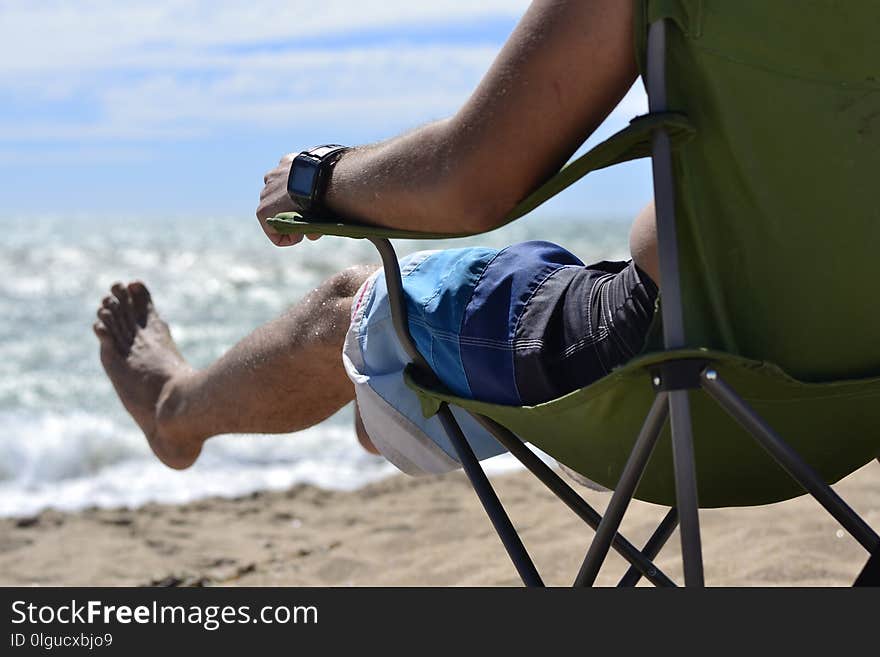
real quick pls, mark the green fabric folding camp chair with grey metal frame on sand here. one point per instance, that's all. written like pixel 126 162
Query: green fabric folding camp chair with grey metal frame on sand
pixel 764 131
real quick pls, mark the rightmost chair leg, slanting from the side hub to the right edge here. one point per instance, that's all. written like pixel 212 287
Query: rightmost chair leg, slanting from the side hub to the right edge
pixel 799 470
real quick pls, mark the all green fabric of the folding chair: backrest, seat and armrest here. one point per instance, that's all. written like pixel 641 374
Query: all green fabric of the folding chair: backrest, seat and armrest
pixel 778 227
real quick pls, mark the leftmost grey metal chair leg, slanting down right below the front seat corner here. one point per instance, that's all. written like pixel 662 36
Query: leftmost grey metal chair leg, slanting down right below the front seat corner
pixel 505 529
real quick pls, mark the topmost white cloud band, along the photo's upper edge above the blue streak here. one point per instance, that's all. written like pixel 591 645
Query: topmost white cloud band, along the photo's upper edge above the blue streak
pixel 99 34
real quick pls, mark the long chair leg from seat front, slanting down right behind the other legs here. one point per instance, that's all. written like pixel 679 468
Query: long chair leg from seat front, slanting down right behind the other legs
pixel 641 563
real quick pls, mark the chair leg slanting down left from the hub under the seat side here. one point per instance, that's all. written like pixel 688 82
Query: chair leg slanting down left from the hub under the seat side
pixel 623 493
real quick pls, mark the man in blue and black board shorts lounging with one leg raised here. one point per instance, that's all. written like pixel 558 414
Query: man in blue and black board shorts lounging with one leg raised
pixel 565 67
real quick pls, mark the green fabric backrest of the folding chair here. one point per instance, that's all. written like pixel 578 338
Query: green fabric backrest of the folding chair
pixel 778 218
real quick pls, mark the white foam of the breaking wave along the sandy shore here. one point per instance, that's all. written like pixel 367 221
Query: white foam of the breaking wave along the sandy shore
pixel 75 461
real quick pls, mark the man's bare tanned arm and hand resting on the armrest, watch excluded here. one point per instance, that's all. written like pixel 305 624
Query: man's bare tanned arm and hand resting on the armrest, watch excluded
pixel 565 67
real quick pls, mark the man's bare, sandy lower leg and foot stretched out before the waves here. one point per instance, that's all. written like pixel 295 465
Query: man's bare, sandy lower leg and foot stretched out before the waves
pixel 283 377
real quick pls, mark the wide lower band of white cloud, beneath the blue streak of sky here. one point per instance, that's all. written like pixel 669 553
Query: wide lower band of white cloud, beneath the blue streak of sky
pixel 411 84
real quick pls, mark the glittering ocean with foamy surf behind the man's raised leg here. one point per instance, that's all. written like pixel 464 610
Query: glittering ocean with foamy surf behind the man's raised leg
pixel 65 440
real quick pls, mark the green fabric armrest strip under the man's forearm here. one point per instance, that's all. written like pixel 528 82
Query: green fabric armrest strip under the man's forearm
pixel 631 143
